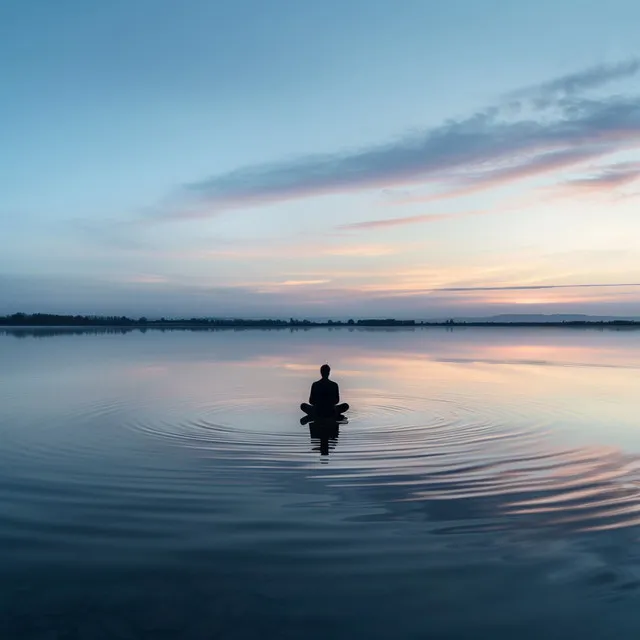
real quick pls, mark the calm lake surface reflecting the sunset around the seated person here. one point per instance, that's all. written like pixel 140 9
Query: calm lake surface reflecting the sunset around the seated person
pixel 159 484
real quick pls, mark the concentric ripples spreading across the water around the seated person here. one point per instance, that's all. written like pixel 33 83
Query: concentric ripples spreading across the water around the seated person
pixel 424 449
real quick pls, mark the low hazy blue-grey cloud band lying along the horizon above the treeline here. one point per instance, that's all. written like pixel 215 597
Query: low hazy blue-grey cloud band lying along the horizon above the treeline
pixel 87 295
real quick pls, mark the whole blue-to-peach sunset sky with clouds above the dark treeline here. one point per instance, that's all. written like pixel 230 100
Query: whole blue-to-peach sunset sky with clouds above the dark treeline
pixel 344 158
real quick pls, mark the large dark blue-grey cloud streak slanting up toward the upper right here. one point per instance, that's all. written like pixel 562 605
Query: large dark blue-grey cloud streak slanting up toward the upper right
pixel 571 129
